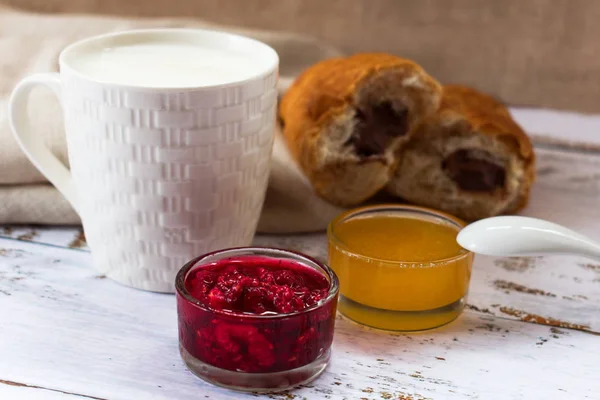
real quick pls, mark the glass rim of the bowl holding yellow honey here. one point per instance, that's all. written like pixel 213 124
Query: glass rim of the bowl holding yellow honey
pixel 372 209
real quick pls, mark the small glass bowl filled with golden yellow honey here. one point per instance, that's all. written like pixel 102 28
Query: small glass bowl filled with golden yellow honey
pixel 399 267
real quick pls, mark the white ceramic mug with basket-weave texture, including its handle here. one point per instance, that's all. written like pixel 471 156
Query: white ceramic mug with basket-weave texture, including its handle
pixel 159 175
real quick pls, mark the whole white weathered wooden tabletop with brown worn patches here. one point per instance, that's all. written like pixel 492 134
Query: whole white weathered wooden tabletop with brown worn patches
pixel 531 330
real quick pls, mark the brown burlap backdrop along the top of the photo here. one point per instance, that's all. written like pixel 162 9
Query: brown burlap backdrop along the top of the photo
pixel 526 52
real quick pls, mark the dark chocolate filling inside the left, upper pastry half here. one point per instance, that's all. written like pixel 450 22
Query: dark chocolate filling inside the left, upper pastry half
pixel 376 127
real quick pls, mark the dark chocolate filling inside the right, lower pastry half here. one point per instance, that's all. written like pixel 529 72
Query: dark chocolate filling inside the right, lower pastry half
pixel 472 173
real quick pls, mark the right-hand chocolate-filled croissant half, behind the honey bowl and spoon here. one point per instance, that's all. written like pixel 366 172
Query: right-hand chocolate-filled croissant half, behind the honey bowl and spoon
pixel 469 159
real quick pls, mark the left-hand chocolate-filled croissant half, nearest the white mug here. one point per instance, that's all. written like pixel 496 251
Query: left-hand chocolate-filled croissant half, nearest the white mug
pixel 344 120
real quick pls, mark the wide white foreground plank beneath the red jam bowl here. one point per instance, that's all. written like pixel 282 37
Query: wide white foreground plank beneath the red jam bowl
pixel 64 328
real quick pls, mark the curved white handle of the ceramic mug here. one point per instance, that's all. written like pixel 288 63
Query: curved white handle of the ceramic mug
pixel 31 144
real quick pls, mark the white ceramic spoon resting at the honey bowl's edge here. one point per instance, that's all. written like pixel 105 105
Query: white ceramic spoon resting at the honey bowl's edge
pixel 522 236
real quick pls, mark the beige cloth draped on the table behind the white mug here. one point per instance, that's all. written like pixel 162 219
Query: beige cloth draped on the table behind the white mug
pixel 31 43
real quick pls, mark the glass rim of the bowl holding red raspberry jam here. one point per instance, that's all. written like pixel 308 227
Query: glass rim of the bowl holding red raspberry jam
pixel 182 291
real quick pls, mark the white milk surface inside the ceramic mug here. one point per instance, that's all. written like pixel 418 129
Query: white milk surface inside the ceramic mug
pixel 164 64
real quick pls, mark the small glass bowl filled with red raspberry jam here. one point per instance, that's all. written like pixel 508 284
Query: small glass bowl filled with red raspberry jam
pixel 256 319
